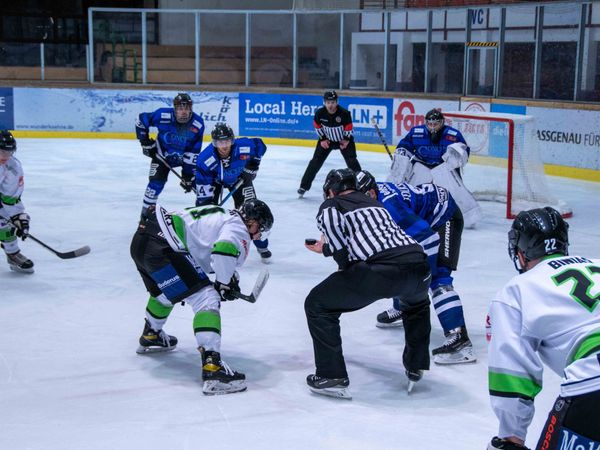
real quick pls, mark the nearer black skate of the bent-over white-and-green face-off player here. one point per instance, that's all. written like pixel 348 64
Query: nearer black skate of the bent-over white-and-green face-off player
pixel 218 377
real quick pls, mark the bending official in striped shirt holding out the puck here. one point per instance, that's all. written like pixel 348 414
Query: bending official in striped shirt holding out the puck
pixel 376 260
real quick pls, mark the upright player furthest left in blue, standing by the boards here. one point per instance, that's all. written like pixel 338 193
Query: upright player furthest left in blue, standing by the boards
pixel 178 142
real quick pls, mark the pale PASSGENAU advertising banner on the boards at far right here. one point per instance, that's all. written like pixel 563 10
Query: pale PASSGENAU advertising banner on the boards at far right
pixel 568 137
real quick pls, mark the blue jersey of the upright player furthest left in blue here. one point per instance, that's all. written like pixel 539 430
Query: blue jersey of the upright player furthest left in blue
pixel 179 143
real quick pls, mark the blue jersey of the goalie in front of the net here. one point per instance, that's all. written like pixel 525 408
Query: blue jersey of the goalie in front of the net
pixel 418 143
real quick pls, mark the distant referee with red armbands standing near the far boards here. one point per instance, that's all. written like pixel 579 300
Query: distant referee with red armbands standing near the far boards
pixel 333 125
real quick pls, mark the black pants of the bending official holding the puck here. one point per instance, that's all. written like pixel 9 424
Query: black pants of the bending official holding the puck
pixel 406 277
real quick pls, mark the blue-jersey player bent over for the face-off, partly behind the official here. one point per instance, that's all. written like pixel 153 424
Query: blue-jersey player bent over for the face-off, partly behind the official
pixel 429 215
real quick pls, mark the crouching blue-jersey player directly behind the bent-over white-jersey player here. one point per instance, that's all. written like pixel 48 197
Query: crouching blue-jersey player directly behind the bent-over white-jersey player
pixel 223 164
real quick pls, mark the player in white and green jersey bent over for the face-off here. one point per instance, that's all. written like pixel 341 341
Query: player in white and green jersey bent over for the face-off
pixel 173 253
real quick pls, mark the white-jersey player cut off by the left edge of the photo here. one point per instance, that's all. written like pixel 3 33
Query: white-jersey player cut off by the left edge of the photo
pixel 14 221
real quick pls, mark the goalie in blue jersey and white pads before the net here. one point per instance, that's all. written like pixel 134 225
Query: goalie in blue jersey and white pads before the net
pixel 436 153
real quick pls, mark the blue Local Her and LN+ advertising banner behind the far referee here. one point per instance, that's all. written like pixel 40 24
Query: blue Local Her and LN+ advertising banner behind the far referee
pixel 291 116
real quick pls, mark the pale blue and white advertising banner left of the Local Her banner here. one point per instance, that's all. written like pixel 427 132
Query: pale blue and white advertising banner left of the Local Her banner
pixel 100 110
